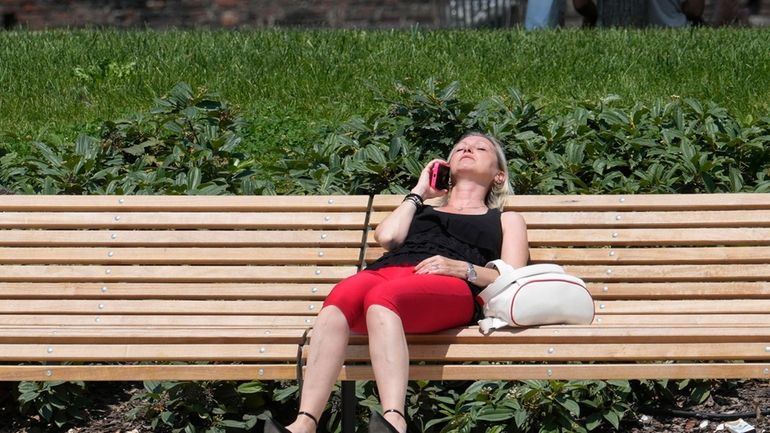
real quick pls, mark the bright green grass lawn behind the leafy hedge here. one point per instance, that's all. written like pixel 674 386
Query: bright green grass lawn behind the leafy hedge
pixel 292 84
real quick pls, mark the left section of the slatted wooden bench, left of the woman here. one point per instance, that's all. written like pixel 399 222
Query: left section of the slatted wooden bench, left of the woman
pixel 127 281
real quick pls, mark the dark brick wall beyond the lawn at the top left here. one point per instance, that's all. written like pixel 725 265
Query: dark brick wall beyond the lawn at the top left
pixel 39 14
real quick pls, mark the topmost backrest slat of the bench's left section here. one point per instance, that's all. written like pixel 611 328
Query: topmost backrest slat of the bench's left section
pixel 145 203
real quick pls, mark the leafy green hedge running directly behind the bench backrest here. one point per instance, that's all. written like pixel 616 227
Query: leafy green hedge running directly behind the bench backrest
pixel 192 143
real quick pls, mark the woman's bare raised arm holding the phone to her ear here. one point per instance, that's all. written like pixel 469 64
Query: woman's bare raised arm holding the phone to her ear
pixel 392 231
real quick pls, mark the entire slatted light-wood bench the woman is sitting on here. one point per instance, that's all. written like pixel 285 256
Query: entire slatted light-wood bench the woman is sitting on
pixel 123 286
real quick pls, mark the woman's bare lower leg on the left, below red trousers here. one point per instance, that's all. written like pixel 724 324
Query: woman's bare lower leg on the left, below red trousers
pixel 327 354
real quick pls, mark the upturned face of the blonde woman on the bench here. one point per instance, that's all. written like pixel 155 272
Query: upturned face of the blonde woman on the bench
pixel 475 155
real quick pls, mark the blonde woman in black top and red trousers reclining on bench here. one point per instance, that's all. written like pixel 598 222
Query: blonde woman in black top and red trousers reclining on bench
pixel 426 282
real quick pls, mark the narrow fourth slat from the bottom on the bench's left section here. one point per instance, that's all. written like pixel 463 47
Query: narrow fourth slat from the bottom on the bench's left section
pixel 185 320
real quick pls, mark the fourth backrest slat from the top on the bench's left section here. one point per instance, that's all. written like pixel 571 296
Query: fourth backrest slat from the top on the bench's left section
pixel 181 256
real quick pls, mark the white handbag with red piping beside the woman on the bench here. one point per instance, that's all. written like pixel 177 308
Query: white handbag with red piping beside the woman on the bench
pixel 534 295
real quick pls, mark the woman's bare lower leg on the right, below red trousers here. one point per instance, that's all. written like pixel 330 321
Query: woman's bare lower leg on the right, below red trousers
pixel 390 360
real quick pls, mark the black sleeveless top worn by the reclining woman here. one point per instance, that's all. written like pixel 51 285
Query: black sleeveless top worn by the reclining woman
pixel 471 238
